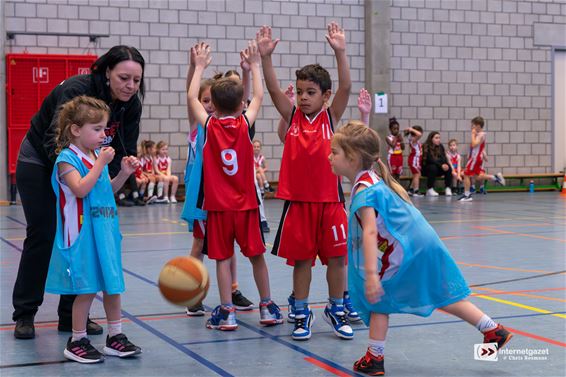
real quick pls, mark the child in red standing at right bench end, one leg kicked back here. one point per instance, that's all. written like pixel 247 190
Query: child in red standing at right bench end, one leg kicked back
pixel 474 166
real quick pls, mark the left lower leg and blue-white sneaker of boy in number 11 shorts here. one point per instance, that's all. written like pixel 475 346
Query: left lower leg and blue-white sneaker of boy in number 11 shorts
pixel 304 317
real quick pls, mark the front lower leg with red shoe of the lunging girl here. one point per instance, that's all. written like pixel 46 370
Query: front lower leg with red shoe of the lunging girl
pixel 372 362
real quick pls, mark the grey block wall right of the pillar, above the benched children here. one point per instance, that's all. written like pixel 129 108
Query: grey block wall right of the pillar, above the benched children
pixel 454 59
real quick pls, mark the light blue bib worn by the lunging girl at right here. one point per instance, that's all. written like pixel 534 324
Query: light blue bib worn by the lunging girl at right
pixel 428 277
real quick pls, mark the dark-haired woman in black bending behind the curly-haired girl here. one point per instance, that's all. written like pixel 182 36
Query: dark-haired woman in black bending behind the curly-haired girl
pixel 117 78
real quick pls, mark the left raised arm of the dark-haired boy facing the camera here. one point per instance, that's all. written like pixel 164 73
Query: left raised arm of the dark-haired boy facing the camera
pixel 266 46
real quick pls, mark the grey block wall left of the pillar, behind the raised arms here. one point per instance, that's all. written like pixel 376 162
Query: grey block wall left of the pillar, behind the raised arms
pixel 164 30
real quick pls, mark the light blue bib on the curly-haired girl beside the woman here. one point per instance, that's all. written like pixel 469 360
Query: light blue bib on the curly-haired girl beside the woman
pixel 93 263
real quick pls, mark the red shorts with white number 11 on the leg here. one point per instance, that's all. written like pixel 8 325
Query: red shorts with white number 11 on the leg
pixel 309 229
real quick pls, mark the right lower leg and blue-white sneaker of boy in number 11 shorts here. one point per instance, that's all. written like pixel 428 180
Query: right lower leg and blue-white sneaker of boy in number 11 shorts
pixel 335 313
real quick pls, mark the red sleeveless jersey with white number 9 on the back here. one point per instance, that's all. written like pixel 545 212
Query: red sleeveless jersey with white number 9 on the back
pixel 228 165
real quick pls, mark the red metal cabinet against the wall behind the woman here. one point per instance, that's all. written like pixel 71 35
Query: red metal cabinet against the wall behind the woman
pixel 29 79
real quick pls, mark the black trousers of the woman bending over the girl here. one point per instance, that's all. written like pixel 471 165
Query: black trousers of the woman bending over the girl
pixel 38 200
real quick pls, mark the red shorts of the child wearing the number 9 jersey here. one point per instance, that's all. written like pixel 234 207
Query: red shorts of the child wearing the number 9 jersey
pixel 225 227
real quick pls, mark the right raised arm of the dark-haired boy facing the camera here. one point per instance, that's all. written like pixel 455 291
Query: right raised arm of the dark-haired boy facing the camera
pixel 337 40
